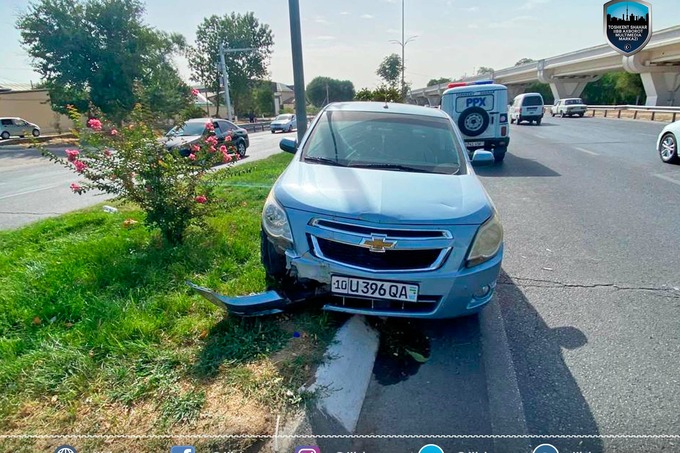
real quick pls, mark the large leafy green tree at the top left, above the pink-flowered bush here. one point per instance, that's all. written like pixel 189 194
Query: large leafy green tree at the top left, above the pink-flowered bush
pixel 100 53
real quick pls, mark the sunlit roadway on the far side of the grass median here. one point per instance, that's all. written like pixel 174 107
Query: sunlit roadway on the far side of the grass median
pixel 33 188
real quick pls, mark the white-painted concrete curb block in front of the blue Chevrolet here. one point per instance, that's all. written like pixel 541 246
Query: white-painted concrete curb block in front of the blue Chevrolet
pixel 341 381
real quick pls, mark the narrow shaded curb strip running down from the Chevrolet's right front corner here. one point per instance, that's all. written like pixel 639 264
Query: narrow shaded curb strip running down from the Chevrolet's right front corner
pixel 506 409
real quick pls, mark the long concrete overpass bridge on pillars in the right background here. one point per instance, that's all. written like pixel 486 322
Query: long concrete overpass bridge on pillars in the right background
pixel 658 65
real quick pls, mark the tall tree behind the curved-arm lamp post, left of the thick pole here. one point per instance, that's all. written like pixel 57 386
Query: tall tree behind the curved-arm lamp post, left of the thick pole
pixel 244 68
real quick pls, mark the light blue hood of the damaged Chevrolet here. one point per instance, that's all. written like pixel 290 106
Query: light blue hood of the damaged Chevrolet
pixel 381 196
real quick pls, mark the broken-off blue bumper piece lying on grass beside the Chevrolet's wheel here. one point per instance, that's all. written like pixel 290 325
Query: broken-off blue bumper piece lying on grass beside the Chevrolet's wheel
pixel 267 303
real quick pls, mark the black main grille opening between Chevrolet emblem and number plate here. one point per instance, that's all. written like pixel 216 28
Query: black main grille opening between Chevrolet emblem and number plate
pixel 389 260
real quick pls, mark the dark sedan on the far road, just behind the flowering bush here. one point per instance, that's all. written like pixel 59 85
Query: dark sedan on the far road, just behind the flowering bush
pixel 181 137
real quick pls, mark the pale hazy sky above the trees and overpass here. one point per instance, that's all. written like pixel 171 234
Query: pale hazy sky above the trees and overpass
pixel 347 39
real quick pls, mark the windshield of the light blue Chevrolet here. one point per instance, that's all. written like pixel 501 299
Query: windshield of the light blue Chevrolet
pixel 386 141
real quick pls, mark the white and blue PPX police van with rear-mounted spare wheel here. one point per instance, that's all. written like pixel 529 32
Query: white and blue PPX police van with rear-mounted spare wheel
pixel 480 109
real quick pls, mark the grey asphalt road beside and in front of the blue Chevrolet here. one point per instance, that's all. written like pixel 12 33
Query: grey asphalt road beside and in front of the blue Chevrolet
pixel 589 297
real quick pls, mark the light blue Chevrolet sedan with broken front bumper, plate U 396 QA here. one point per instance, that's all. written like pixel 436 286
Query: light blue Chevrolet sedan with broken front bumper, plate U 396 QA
pixel 379 213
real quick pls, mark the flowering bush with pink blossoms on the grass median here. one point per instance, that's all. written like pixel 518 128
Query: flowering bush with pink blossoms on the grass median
pixel 134 164
